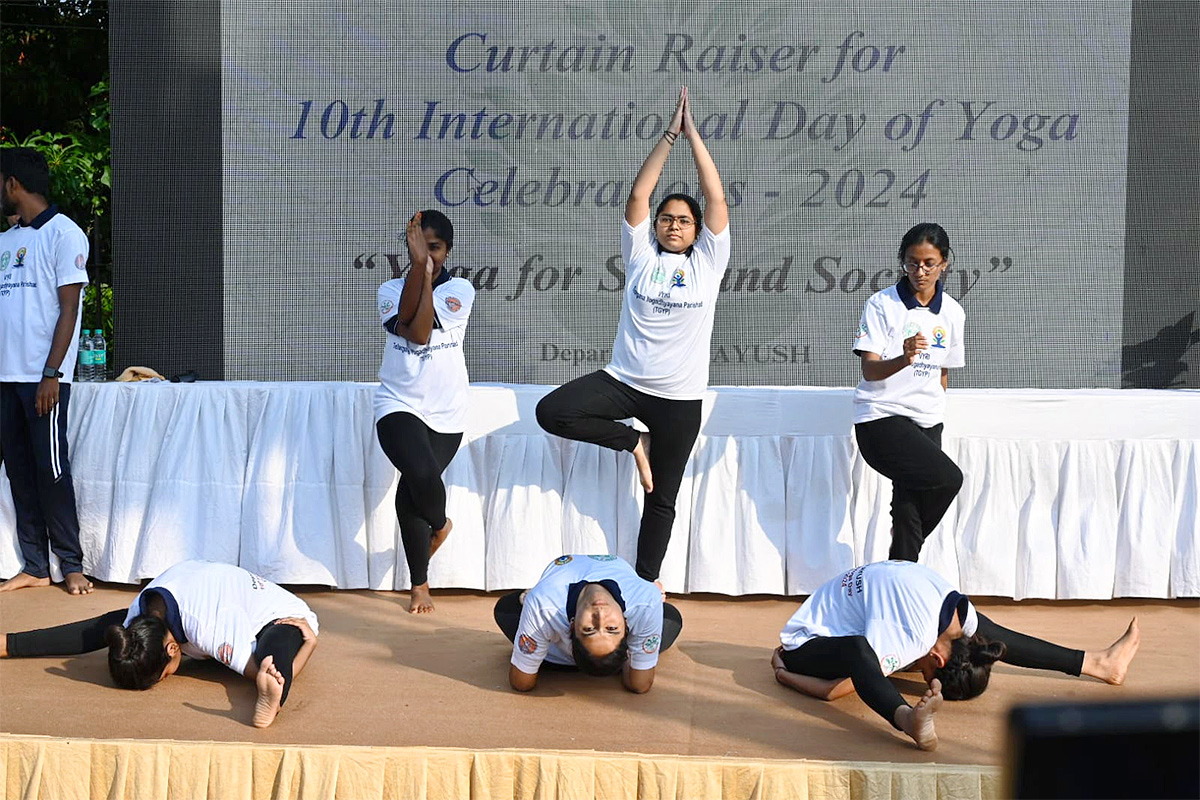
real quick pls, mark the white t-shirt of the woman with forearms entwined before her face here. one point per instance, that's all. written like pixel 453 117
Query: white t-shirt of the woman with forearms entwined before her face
pixel 428 381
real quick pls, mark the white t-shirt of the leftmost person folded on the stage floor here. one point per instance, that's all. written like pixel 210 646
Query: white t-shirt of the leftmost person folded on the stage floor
pixel 221 609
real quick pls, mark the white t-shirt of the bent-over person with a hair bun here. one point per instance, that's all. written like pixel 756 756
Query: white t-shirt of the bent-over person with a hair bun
pixel 896 605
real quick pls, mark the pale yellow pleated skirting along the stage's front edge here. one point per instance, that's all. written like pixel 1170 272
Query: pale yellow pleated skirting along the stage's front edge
pixel 43 768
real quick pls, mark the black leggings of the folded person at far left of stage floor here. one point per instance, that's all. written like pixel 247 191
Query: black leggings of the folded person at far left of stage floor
pixel 87 636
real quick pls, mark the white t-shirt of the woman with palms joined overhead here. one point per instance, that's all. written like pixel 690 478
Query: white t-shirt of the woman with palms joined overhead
pixel 665 334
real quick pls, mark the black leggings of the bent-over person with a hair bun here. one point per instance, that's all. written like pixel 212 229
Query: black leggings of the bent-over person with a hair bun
pixel 832 658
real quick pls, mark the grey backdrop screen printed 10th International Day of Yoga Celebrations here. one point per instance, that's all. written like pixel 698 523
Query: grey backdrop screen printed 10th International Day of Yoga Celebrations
pixel 836 127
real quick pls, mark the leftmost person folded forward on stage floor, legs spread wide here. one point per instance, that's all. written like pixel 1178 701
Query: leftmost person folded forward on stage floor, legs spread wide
pixel 201 610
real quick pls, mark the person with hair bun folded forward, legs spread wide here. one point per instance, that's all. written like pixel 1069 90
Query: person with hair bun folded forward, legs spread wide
pixel 861 627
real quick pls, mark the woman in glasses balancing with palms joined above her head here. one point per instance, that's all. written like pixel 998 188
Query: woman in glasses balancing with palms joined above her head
pixel 659 371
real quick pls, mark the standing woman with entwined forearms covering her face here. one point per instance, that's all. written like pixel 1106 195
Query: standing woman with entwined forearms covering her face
pixel 422 402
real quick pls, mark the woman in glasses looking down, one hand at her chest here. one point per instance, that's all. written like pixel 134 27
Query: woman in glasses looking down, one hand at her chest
pixel 909 339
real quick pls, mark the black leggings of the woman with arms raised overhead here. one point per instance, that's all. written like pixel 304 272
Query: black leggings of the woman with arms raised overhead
pixel 587 410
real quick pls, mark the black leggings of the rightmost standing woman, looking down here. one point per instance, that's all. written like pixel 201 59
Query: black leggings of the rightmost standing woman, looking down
pixel 925 480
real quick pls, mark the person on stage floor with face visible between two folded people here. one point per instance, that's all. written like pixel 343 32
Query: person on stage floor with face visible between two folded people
pixel 589 612
